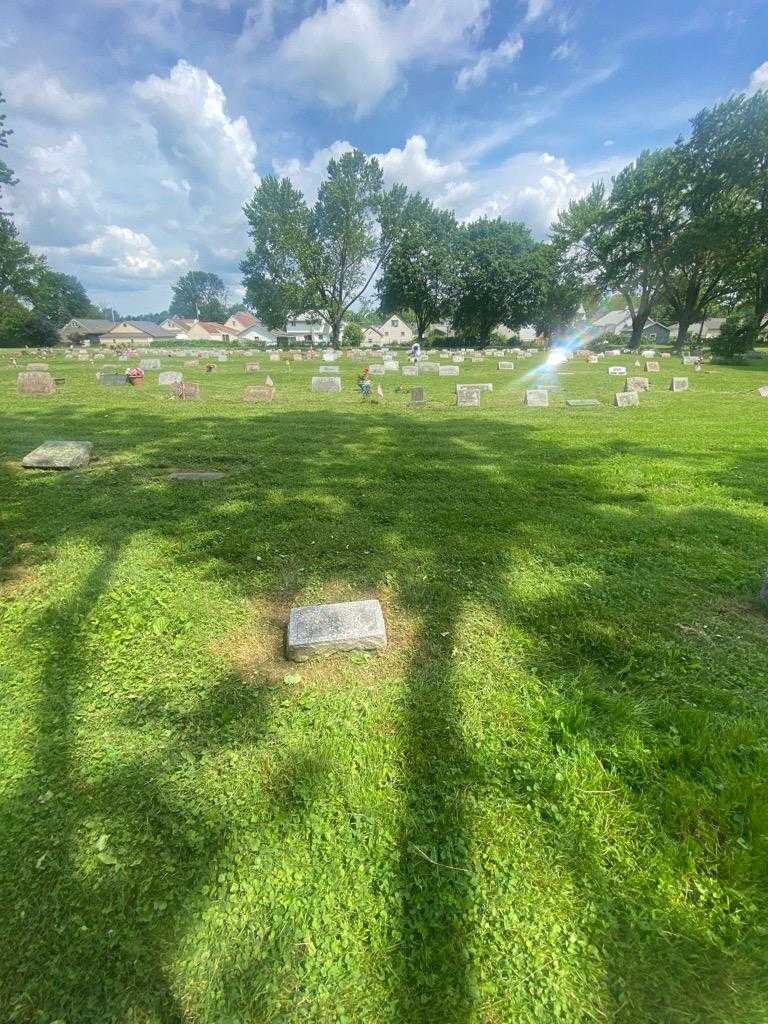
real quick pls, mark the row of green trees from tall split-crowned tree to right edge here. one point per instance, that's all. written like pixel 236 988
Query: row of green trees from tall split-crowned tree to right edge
pixel 681 234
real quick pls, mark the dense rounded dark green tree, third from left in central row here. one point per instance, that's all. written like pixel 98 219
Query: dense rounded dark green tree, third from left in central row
pixel 499 278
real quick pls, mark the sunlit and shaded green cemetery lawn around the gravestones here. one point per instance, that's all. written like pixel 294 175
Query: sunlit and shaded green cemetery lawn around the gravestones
pixel 546 801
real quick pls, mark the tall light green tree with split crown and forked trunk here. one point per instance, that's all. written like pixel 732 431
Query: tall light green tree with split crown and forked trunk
pixel 322 259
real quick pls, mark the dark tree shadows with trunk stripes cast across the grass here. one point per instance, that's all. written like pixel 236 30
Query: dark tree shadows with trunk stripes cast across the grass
pixel 443 514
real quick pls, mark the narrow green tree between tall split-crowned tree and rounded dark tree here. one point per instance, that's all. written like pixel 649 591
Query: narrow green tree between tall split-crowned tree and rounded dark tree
pixel 419 272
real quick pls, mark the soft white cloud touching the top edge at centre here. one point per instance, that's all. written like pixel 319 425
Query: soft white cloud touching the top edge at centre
pixel 353 53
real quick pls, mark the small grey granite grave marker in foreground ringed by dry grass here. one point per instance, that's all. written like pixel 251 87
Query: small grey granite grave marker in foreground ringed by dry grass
pixel 329 629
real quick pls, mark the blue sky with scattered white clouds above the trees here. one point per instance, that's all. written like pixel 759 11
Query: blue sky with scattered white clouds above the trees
pixel 142 126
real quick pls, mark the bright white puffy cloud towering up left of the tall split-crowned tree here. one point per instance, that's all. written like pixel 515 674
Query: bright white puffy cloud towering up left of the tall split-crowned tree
pixel 212 152
